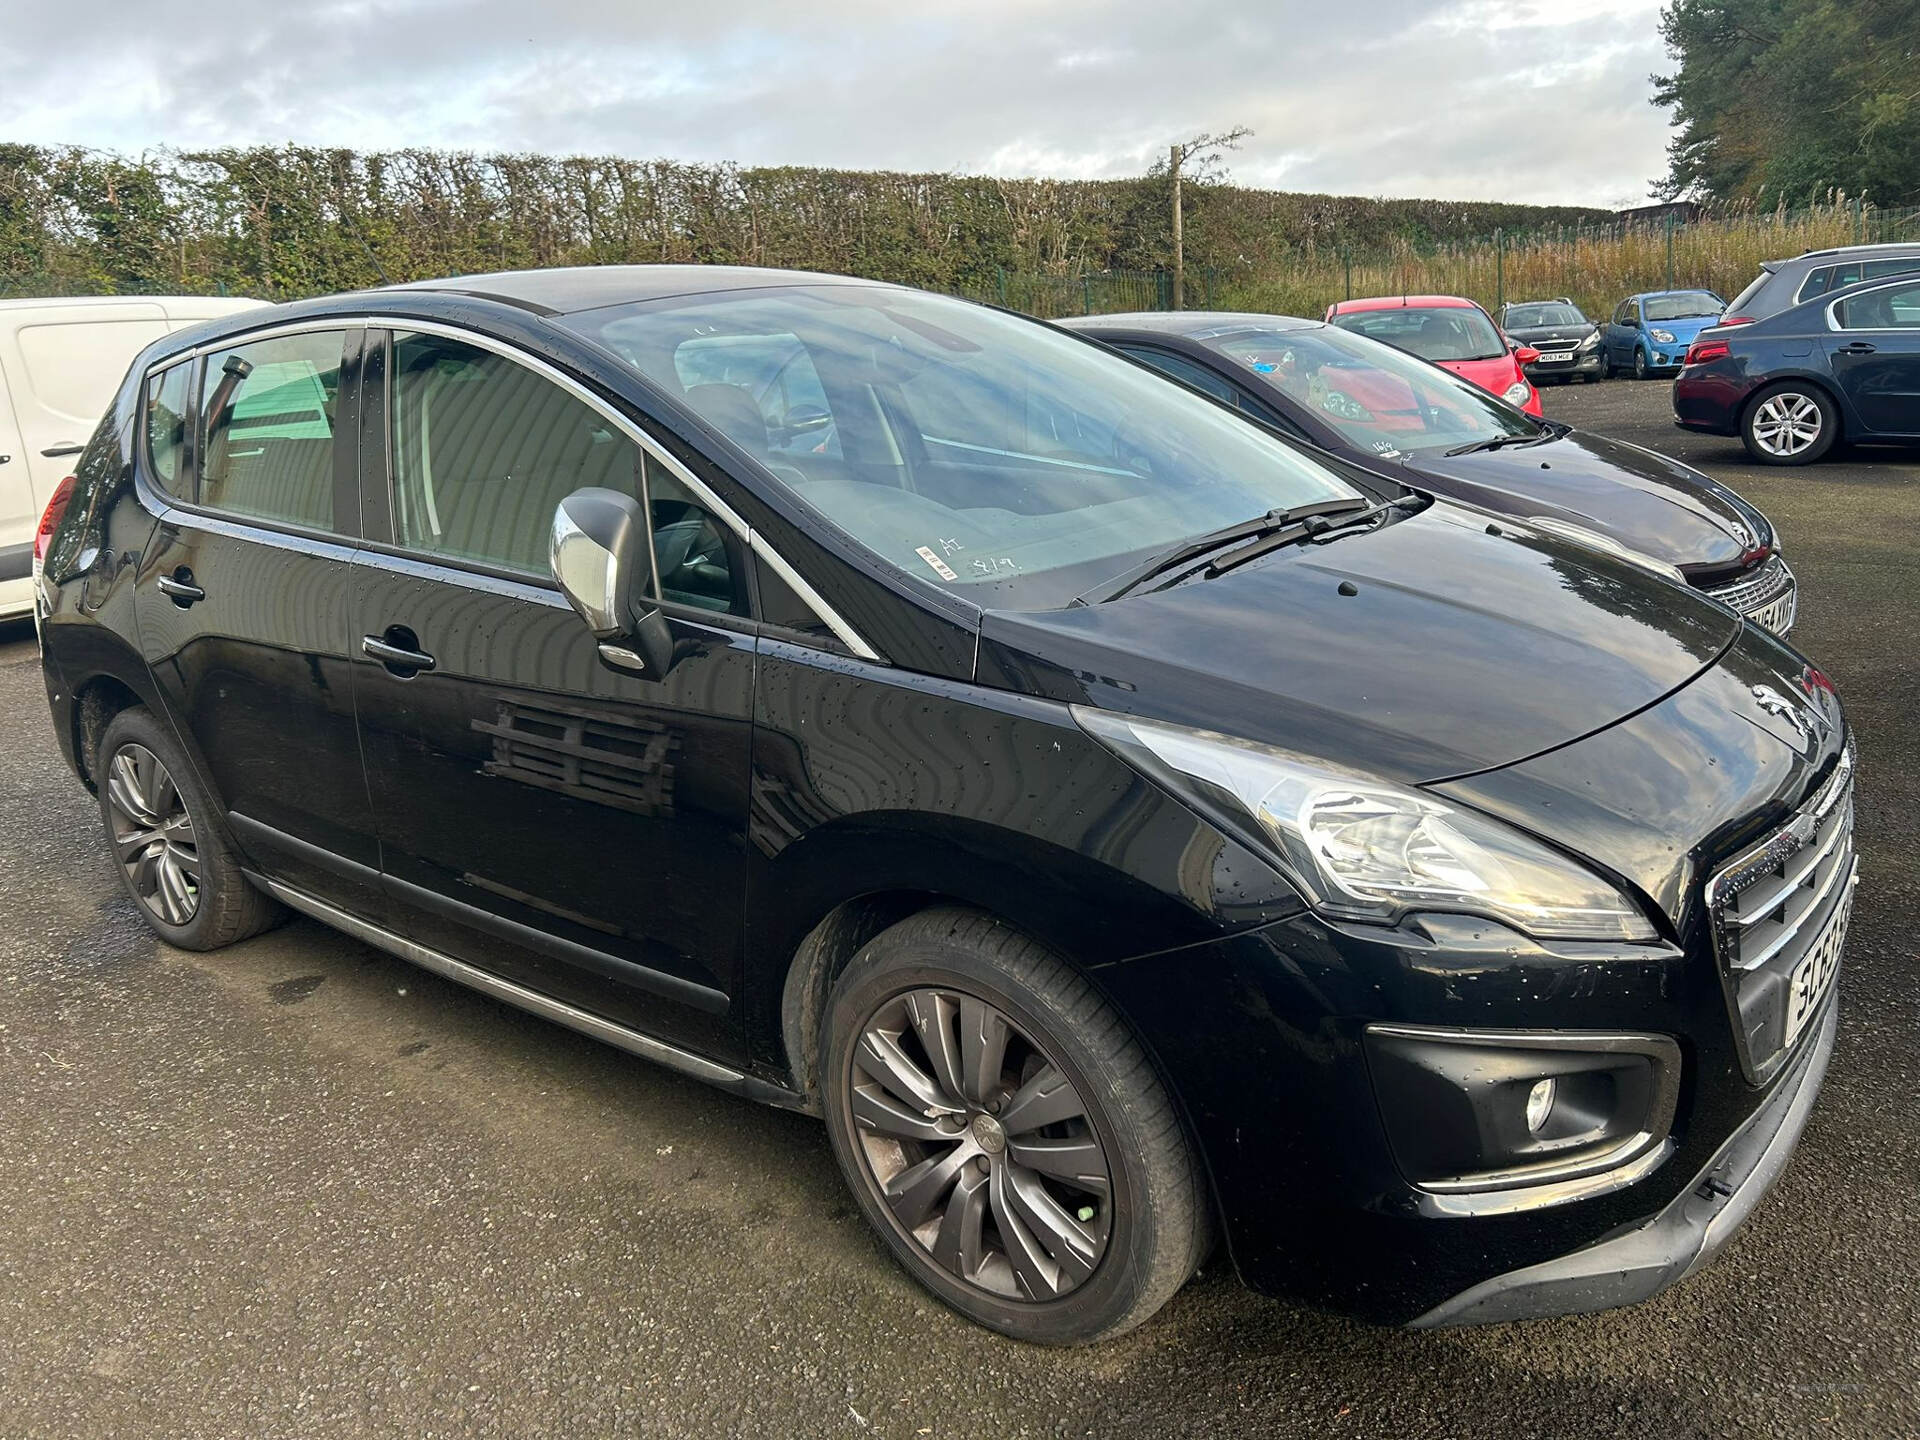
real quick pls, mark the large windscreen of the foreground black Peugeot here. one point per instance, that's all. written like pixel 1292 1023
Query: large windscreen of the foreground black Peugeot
pixel 982 452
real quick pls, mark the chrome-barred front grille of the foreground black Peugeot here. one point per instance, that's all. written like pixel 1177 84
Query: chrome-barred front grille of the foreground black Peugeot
pixel 1783 903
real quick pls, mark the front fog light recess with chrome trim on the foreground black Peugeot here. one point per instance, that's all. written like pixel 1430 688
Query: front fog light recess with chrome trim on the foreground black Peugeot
pixel 1518 1111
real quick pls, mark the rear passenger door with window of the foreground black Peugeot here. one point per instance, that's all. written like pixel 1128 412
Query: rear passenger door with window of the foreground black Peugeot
pixel 243 596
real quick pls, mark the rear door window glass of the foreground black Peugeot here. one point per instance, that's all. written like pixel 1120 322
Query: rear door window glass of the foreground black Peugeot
pixel 270 429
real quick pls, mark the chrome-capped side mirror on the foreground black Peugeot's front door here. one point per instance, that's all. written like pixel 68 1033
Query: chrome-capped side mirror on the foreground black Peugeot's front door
pixel 604 562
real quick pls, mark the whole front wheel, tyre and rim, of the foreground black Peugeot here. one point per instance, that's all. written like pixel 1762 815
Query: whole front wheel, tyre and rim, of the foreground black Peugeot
pixel 1005 1132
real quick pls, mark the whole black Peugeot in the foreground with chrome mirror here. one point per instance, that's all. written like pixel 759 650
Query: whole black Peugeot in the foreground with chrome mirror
pixel 1126 830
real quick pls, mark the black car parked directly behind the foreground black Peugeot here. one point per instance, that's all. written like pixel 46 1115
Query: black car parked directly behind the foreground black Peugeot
pixel 1429 429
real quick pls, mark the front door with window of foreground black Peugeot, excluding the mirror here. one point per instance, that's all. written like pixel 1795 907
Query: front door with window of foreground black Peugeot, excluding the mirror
pixel 554 821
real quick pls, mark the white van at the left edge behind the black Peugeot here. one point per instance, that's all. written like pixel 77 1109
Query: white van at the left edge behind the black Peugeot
pixel 60 364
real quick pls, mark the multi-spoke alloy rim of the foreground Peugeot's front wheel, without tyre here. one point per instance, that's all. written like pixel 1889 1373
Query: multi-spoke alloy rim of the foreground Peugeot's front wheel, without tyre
pixel 980 1145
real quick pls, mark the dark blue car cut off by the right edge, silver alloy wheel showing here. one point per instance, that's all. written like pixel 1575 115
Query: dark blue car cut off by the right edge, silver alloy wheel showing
pixel 1792 387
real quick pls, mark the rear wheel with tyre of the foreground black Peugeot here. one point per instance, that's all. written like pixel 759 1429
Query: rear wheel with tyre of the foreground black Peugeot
pixel 168 846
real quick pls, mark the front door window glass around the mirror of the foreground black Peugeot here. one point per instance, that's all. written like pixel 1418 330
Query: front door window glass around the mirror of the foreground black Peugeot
pixel 485 450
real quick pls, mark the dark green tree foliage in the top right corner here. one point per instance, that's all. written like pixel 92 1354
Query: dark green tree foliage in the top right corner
pixel 1785 101
